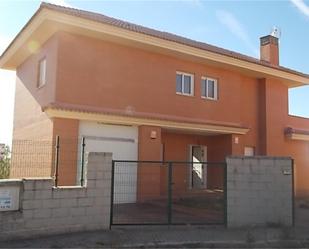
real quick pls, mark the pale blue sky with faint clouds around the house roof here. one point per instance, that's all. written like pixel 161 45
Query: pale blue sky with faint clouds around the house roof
pixel 234 25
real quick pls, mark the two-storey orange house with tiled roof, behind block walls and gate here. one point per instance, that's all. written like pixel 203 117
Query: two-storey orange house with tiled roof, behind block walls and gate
pixel 149 95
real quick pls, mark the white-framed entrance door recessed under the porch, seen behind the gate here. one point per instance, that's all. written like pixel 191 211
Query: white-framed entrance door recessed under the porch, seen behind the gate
pixel 199 169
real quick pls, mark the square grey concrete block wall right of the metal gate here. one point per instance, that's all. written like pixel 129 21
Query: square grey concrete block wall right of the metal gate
pixel 259 191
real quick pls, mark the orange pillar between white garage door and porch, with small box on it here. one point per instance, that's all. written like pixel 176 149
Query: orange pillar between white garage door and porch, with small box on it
pixel 149 149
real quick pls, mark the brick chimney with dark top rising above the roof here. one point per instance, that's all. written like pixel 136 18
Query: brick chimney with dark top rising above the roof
pixel 269 49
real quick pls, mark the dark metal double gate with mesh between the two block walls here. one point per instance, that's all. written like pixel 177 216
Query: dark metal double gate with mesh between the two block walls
pixel 168 193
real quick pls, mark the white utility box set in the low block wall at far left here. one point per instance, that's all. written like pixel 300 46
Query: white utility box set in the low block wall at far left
pixel 9 198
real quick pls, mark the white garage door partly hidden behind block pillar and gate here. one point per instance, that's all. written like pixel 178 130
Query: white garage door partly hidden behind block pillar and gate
pixel 122 141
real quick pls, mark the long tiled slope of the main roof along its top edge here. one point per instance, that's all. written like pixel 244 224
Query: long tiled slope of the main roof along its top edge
pixel 162 35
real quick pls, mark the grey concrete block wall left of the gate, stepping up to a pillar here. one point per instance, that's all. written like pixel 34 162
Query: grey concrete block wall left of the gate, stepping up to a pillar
pixel 47 210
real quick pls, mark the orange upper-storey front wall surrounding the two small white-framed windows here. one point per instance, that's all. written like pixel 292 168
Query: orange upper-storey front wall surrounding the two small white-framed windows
pixel 95 68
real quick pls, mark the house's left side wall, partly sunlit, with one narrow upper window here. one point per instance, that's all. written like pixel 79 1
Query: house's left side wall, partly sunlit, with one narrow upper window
pixel 32 149
